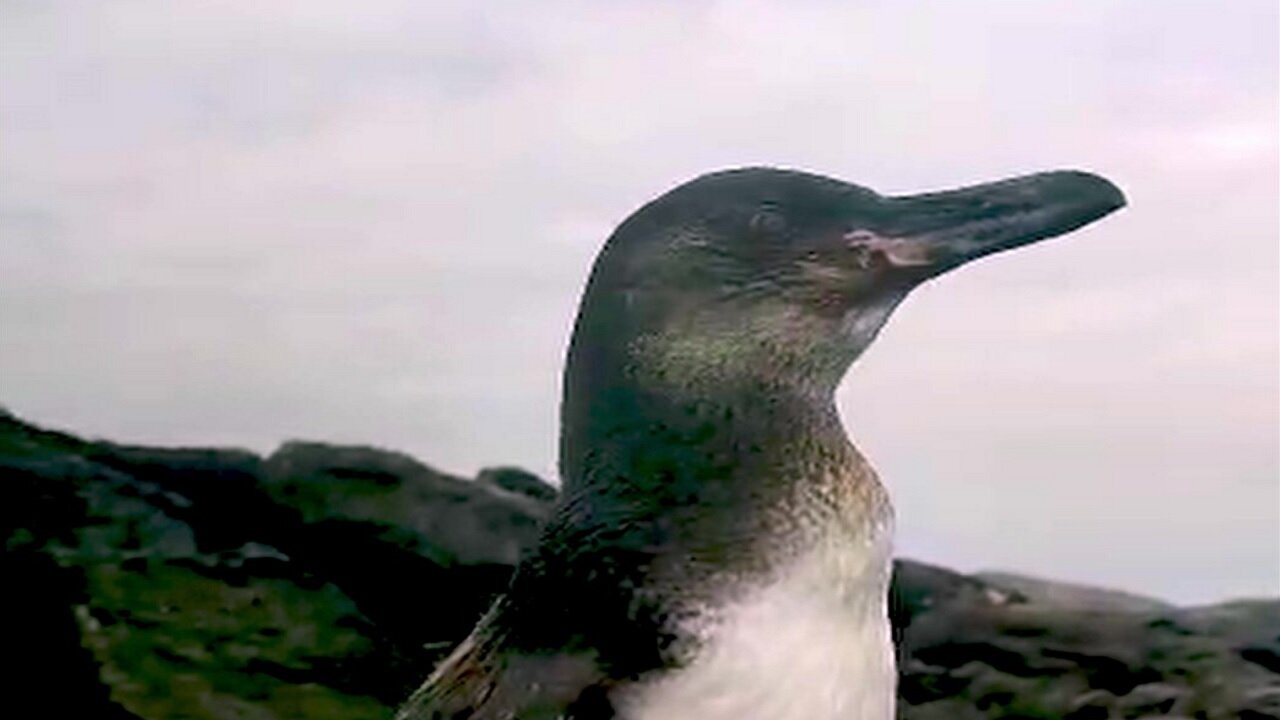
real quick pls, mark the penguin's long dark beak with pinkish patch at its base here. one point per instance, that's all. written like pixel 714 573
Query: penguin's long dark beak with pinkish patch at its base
pixel 941 231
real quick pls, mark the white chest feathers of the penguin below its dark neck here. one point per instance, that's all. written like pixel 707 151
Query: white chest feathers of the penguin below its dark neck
pixel 815 645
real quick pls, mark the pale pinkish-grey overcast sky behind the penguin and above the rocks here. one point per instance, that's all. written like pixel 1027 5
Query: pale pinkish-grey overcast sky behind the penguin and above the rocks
pixel 236 224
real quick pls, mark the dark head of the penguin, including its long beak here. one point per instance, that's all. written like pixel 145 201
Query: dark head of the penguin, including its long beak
pixel 796 272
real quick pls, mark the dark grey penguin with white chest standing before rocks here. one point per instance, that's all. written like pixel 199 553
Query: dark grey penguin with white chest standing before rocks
pixel 721 550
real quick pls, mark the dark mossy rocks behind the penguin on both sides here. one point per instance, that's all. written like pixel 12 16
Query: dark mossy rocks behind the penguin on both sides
pixel 323 582
